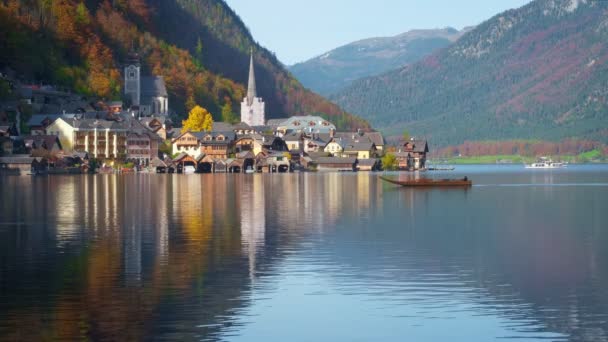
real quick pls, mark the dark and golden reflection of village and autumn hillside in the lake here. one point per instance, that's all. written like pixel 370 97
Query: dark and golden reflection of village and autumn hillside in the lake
pixel 121 254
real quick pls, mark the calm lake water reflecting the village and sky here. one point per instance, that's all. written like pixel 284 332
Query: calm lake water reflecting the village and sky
pixel 522 255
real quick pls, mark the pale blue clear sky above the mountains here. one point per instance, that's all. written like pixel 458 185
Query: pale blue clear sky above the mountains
pixel 297 30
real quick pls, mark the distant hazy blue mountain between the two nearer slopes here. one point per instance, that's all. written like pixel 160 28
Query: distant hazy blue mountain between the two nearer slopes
pixel 337 69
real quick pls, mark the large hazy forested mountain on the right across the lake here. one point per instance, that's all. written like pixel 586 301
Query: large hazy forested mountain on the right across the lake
pixel 540 71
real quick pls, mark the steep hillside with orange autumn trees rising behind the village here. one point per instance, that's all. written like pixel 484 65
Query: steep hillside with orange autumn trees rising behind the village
pixel 200 47
